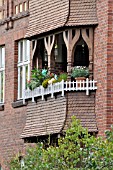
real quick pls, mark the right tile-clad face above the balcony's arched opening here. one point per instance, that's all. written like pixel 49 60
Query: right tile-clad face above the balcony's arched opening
pixel 82 12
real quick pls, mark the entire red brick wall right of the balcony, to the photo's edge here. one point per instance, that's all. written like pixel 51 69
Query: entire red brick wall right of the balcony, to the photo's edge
pixel 103 65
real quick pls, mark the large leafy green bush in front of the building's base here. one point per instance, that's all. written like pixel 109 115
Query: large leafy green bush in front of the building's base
pixel 77 150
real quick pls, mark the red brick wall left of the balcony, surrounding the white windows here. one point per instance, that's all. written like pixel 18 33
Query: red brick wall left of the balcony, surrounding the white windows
pixel 12 120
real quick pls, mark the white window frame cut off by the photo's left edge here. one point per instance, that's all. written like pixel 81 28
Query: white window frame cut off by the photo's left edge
pixel 2 70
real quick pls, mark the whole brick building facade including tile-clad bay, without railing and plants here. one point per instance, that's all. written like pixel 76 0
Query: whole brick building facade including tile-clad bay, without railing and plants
pixel 27 25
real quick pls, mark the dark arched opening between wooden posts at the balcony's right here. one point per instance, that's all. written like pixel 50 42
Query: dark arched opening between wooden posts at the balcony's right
pixel 81 53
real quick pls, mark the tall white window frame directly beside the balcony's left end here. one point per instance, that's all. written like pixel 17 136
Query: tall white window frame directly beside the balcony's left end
pixel 22 64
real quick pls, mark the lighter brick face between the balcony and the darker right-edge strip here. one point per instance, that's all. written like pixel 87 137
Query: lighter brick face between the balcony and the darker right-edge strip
pixel 100 64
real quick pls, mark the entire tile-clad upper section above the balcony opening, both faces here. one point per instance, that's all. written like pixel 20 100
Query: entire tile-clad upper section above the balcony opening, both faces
pixel 47 15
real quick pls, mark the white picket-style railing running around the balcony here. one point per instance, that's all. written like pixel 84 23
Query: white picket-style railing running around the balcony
pixel 80 85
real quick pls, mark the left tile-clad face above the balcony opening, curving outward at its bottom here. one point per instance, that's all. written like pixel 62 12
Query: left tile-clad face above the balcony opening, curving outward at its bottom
pixel 46 15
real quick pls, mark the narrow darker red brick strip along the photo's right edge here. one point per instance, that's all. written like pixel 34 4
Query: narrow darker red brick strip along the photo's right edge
pixel 110 65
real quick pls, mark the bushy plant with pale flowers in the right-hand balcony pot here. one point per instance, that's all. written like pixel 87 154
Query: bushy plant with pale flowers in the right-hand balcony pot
pixel 80 71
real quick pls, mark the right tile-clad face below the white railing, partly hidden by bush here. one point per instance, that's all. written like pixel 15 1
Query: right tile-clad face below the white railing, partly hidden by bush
pixel 83 107
